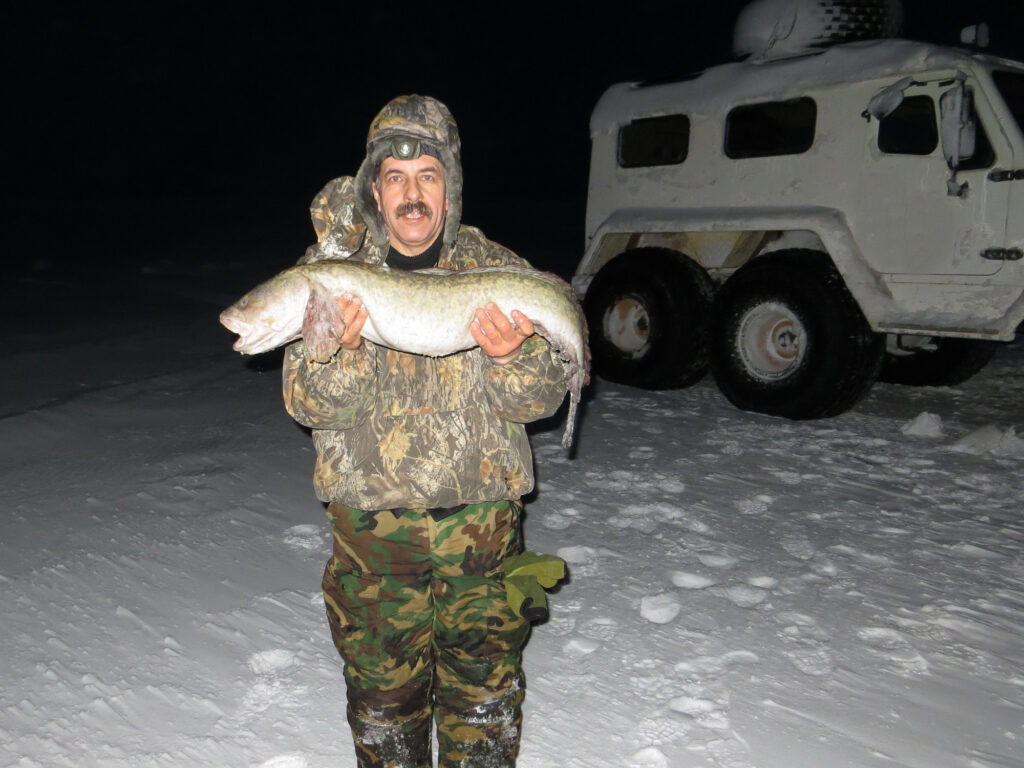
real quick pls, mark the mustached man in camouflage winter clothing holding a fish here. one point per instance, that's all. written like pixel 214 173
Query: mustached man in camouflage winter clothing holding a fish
pixel 424 461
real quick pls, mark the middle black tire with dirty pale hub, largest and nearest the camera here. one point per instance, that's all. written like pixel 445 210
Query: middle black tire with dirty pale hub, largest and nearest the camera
pixel 788 339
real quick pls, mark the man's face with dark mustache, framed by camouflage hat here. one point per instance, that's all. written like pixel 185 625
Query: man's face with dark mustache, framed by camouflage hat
pixel 411 196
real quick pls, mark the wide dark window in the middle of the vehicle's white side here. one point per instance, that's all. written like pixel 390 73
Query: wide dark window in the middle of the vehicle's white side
pixel 772 129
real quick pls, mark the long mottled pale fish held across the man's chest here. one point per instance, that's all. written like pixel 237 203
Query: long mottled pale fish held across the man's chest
pixel 424 313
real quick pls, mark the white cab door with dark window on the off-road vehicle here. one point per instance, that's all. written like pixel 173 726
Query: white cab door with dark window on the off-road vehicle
pixel 921 217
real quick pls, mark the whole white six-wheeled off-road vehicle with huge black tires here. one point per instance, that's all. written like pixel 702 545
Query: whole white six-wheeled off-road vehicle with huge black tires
pixel 807 221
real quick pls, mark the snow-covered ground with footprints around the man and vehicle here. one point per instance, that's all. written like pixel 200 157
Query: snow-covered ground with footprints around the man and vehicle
pixel 745 591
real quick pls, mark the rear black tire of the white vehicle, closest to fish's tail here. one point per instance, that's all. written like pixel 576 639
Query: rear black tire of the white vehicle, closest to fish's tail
pixel 648 315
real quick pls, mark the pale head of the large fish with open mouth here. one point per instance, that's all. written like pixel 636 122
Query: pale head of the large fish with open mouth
pixel 269 316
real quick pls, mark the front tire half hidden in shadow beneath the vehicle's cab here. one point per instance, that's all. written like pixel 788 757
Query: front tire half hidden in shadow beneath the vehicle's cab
pixel 946 364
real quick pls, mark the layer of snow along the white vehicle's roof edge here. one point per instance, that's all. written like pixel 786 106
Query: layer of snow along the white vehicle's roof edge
pixel 726 86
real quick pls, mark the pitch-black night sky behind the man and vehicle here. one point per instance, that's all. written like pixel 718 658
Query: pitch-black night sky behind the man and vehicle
pixel 120 116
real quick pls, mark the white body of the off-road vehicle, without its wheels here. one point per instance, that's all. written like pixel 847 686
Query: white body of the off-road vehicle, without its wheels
pixel 925 226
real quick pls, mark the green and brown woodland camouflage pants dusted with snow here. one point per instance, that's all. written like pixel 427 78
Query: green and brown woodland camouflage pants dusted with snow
pixel 417 610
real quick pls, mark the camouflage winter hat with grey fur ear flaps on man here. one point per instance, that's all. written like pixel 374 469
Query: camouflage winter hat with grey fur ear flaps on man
pixel 425 123
